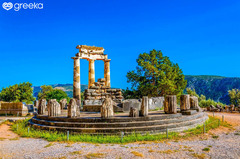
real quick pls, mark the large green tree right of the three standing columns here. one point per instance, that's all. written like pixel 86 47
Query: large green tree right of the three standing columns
pixel 156 75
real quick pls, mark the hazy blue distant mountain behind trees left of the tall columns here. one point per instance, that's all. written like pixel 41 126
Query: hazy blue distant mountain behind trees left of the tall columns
pixel 68 88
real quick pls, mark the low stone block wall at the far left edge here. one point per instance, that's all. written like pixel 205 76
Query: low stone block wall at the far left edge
pixel 13 108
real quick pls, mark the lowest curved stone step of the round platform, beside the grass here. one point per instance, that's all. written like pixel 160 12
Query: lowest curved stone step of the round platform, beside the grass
pixel 141 129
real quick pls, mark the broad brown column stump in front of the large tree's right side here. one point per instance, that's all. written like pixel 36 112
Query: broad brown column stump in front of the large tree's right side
pixel 170 104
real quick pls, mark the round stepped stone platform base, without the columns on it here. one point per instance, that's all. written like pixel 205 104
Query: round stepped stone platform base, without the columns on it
pixel 91 123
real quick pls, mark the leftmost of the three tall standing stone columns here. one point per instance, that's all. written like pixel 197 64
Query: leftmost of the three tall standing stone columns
pixel 76 79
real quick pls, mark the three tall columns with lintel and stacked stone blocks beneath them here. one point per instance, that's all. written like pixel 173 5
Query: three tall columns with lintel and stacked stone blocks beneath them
pixel 97 91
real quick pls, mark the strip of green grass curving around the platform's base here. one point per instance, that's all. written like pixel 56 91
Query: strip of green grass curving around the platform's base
pixel 22 130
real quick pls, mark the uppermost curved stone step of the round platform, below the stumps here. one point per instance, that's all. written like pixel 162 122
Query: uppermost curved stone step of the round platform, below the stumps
pixel 159 116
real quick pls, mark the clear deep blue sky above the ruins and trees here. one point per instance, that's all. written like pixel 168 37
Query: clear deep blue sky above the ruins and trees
pixel 202 36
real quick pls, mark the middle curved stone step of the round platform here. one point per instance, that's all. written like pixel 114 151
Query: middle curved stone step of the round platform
pixel 119 124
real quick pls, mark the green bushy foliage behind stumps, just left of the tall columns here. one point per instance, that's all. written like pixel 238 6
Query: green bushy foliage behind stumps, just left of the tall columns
pixel 48 92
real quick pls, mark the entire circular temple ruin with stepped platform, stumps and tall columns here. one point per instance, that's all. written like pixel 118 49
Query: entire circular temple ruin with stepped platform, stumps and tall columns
pixel 104 110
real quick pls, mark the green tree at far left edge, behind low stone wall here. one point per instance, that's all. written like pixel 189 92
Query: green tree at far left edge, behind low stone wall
pixel 22 92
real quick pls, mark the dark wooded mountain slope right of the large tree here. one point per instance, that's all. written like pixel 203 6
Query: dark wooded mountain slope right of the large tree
pixel 214 87
